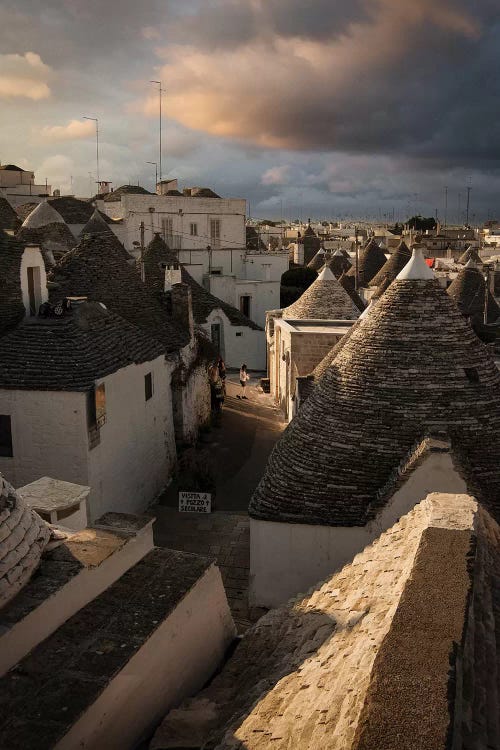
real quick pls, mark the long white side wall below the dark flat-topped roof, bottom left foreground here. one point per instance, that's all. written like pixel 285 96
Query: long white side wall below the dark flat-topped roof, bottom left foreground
pixel 181 655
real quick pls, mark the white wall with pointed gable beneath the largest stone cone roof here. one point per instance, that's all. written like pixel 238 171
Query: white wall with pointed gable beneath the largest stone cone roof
pixel 287 558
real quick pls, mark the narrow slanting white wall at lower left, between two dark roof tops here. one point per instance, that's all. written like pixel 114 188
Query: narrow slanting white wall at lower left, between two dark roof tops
pixel 53 611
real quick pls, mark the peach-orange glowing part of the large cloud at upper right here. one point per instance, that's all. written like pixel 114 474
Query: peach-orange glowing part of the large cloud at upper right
pixel 290 92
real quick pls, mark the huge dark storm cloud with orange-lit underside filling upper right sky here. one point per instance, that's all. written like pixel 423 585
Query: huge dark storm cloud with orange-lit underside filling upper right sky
pixel 389 76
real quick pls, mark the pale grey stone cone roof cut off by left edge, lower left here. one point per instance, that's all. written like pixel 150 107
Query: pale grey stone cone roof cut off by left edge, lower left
pixel 23 537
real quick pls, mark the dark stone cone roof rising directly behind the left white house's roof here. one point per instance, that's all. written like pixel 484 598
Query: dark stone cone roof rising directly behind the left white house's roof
pixel 97 269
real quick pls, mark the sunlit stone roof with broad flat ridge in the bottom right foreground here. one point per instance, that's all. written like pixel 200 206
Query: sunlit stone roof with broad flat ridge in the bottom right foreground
pixel 397 651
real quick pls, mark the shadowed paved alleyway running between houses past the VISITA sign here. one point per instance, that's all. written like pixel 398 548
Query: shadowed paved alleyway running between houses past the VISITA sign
pixel 239 447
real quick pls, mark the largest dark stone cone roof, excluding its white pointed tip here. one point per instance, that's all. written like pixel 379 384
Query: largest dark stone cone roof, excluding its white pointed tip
pixel 412 367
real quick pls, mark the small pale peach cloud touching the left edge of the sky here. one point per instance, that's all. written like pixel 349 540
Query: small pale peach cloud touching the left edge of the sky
pixel 24 76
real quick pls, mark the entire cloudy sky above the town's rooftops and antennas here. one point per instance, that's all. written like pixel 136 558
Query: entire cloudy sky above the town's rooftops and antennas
pixel 311 107
